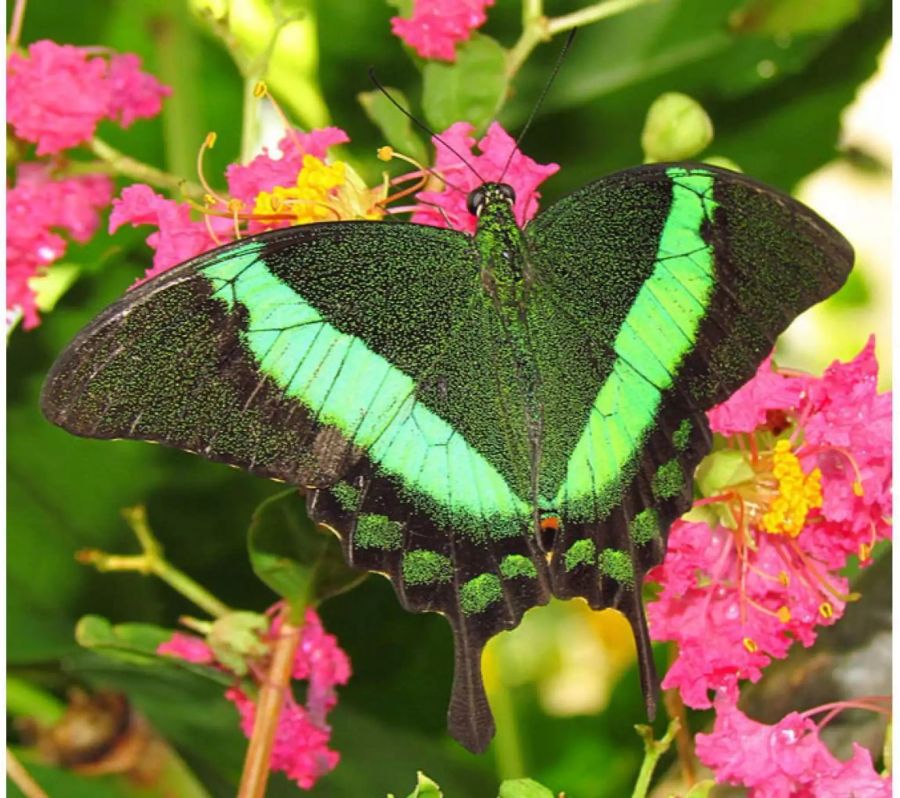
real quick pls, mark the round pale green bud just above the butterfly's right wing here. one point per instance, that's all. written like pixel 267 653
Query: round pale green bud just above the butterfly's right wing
pixel 677 128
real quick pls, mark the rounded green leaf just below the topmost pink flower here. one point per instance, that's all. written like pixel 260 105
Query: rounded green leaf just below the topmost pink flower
pixel 472 89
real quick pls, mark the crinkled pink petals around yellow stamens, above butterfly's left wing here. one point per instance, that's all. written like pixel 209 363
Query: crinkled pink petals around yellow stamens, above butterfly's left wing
pixel 180 237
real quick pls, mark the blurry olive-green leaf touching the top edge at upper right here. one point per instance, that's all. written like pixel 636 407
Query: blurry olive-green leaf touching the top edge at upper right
pixel 789 17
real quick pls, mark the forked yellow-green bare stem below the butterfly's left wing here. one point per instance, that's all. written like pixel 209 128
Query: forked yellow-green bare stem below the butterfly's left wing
pixel 152 561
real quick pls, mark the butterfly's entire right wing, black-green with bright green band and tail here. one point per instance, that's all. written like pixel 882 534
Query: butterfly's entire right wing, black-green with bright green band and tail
pixel 674 281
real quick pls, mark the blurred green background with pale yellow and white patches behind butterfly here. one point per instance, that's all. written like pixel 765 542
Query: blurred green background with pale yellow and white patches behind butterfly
pixel 777 78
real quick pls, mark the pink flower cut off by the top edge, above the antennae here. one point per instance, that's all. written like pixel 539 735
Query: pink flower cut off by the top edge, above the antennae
pixel 436 26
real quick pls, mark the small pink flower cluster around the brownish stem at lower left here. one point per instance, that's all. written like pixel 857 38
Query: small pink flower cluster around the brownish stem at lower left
pixel 301 739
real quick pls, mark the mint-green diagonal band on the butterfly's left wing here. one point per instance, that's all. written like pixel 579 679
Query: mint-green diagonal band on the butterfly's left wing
pixel 373 404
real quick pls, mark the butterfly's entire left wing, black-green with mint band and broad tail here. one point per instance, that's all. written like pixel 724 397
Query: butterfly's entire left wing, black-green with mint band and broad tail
pixel 349 359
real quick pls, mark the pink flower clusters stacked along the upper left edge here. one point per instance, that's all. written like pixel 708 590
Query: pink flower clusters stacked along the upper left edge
pixel 56 95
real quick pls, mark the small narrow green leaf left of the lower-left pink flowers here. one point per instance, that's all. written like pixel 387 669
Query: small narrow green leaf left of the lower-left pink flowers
pixel 136 643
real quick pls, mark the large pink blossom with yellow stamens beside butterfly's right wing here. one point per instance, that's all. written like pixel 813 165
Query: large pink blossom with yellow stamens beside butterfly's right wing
pixel 802 482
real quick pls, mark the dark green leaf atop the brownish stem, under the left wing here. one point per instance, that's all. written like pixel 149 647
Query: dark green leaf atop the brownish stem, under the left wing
pixel 301 563
